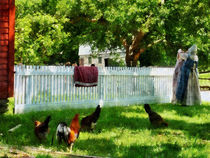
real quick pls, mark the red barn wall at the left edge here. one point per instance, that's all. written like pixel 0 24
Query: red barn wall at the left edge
pixel 7 29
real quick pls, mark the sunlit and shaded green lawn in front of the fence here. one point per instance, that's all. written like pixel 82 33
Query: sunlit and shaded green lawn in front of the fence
pixel 120 132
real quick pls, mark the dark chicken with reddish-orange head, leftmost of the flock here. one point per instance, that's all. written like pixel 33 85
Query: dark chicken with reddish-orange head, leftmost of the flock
pixel 42 128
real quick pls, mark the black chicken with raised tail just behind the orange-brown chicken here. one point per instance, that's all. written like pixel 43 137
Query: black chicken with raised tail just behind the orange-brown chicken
pixel 88 123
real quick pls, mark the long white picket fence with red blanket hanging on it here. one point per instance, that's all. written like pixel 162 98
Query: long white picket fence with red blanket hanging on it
pixel 52 87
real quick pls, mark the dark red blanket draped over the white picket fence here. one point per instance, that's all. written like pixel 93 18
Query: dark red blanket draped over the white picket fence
pixel 85 76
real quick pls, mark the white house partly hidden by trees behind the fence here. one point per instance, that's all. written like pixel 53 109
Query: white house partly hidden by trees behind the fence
pixel 100 59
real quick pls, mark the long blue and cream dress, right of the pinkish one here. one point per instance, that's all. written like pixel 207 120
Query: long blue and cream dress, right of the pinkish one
pixel 188 88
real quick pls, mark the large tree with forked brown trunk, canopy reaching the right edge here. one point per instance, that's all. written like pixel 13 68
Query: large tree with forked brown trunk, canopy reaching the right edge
pixel 139 26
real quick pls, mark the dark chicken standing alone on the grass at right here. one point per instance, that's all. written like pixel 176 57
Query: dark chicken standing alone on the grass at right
pixel 155 119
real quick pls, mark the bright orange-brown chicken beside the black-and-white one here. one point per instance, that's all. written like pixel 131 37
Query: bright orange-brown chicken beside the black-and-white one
pixel 74 131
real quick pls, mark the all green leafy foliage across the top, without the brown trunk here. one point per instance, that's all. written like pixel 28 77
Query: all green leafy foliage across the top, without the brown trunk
pixel 50 31
